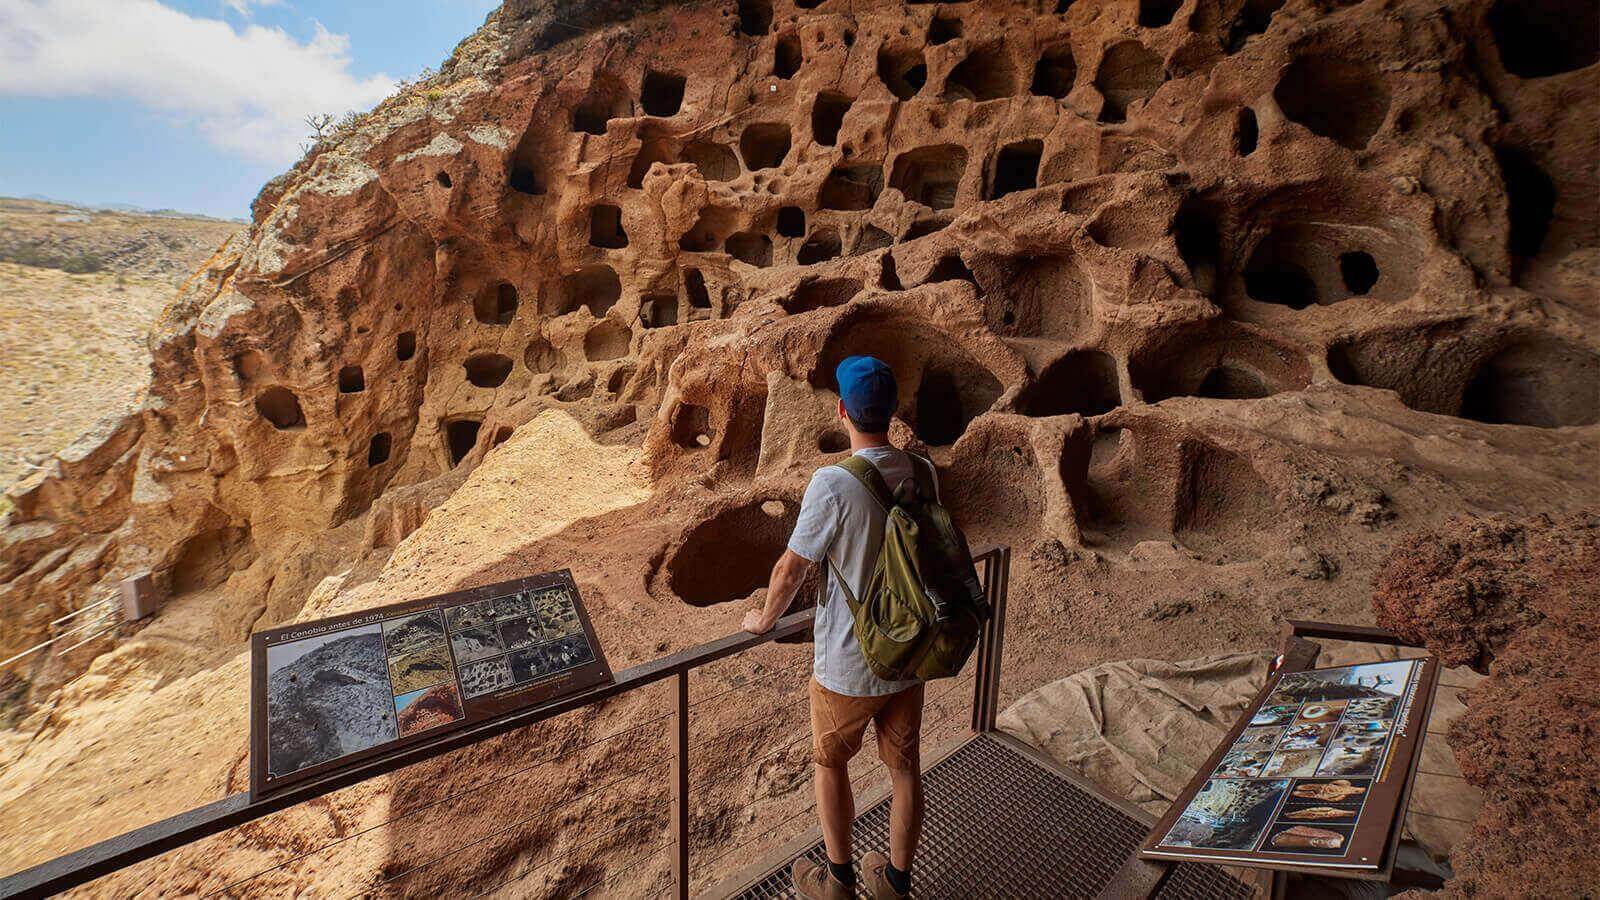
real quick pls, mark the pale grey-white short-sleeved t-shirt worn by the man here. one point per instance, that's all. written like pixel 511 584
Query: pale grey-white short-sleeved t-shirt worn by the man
pixel 841 520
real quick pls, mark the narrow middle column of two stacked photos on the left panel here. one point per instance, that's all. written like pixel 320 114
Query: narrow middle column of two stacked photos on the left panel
pixel 422 673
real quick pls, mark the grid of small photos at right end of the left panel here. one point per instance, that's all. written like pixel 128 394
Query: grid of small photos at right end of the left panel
pixel 516 640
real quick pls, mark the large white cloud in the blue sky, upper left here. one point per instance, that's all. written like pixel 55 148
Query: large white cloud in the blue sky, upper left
pixel 247 90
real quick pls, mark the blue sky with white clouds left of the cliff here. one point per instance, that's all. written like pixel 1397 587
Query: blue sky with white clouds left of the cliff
pixel 194 105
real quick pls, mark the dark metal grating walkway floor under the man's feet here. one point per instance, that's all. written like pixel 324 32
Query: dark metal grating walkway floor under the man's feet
pixel 1002 826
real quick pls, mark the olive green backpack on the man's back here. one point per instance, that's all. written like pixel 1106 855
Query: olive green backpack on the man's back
pixel 924 609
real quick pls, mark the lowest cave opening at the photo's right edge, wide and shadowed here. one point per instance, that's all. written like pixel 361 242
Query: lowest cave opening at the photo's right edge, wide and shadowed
pixel 1537 382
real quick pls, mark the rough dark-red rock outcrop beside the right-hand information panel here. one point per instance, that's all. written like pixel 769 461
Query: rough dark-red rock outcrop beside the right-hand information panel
pixel 1521 601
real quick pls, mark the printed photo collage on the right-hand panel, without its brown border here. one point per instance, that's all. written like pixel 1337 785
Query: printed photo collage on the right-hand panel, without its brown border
pixel 1298 776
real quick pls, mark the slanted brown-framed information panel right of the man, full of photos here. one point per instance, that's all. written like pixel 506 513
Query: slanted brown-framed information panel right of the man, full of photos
pixel 1313 777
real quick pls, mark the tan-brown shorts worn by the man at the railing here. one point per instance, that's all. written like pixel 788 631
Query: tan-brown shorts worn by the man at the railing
pixel 839 723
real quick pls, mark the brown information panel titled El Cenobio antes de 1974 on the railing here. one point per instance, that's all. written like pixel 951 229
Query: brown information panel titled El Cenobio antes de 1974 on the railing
pixel 342 691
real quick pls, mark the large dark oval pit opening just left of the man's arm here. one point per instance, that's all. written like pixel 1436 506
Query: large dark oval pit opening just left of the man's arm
pixel 732 555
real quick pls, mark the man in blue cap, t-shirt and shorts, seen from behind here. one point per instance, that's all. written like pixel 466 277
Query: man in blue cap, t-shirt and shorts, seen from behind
pixel 842 524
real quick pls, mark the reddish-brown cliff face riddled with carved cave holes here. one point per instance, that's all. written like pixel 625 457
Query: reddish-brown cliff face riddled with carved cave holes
pixel 1188 300
